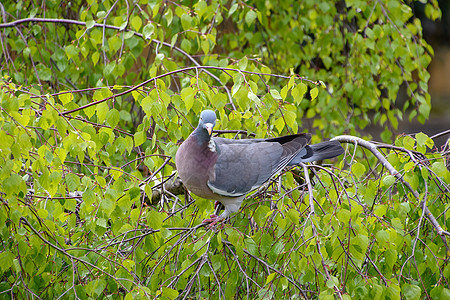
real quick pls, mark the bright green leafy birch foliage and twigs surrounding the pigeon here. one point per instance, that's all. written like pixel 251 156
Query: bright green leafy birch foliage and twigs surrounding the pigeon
pixel 96 96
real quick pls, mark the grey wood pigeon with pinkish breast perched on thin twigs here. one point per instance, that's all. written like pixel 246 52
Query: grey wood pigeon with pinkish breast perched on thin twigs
pixel 226 170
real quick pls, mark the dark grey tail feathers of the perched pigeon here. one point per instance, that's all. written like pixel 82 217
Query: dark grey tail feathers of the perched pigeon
pixel 318 152
